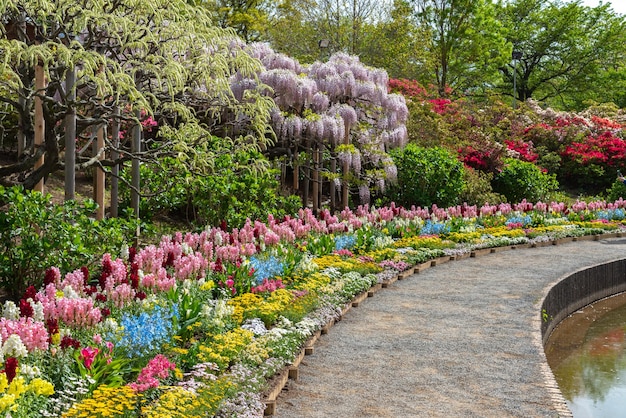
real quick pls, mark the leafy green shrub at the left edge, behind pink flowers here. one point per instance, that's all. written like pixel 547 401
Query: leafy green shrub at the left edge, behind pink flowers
pixel 36 234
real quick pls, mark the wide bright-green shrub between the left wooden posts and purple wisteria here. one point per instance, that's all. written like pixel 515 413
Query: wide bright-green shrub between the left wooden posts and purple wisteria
pixel 232 193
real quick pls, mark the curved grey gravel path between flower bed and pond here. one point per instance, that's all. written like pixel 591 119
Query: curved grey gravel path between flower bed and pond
pixel 459 340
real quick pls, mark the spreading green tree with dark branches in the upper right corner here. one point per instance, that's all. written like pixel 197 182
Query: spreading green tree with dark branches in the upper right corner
pixel 569 52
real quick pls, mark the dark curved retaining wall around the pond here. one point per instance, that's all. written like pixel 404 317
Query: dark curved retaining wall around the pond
pixel 579 290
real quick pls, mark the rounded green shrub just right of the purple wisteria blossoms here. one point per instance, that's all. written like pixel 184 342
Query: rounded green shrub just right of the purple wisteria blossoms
pixel 426 176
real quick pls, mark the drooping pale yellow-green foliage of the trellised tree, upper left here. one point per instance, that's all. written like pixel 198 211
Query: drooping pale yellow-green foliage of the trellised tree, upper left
pixel 163 57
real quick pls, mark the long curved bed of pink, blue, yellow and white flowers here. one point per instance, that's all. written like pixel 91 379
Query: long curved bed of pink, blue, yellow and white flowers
pixel 200 324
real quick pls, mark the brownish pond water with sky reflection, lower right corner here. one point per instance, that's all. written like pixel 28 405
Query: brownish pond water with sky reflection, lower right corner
pixel 587 354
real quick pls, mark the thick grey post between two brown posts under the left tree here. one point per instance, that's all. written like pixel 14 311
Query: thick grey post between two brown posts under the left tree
pixel 70 136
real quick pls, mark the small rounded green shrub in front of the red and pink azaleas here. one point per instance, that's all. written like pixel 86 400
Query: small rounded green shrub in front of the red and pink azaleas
pixel 521 180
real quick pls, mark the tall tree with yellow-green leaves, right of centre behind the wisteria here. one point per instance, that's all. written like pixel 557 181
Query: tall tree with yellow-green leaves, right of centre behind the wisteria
pixel 466 46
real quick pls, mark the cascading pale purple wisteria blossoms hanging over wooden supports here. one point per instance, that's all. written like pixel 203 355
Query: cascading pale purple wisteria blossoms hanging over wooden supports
pixel 332 103
